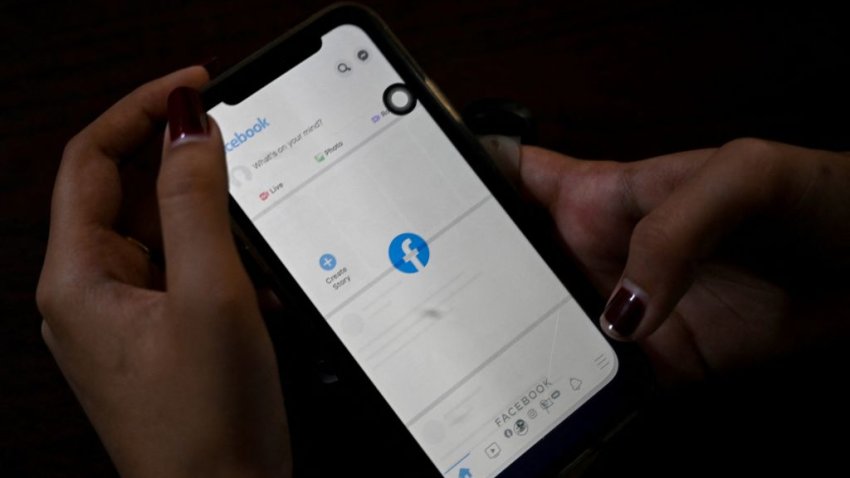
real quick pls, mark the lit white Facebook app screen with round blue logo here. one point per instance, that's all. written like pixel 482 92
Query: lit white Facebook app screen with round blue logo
pixel 463 328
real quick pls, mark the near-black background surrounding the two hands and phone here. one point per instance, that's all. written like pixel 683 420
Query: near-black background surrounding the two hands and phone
pixel 605 79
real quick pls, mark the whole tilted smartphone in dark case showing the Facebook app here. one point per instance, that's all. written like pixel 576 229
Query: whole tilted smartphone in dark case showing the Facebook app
pixel 356 187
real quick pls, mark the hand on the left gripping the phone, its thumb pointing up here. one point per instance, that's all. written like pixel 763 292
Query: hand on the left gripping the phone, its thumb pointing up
pixel 175 369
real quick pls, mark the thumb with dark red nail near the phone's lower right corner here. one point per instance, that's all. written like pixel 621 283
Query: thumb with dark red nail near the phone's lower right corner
pixel 738 182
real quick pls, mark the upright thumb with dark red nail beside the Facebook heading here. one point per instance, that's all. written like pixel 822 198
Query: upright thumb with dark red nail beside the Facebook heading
pixel 200 253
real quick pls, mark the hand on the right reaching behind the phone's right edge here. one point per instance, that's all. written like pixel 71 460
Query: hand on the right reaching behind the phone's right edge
pixel 717 258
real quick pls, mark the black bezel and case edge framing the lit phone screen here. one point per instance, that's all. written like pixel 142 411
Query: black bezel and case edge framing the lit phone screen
pixel 585 428
